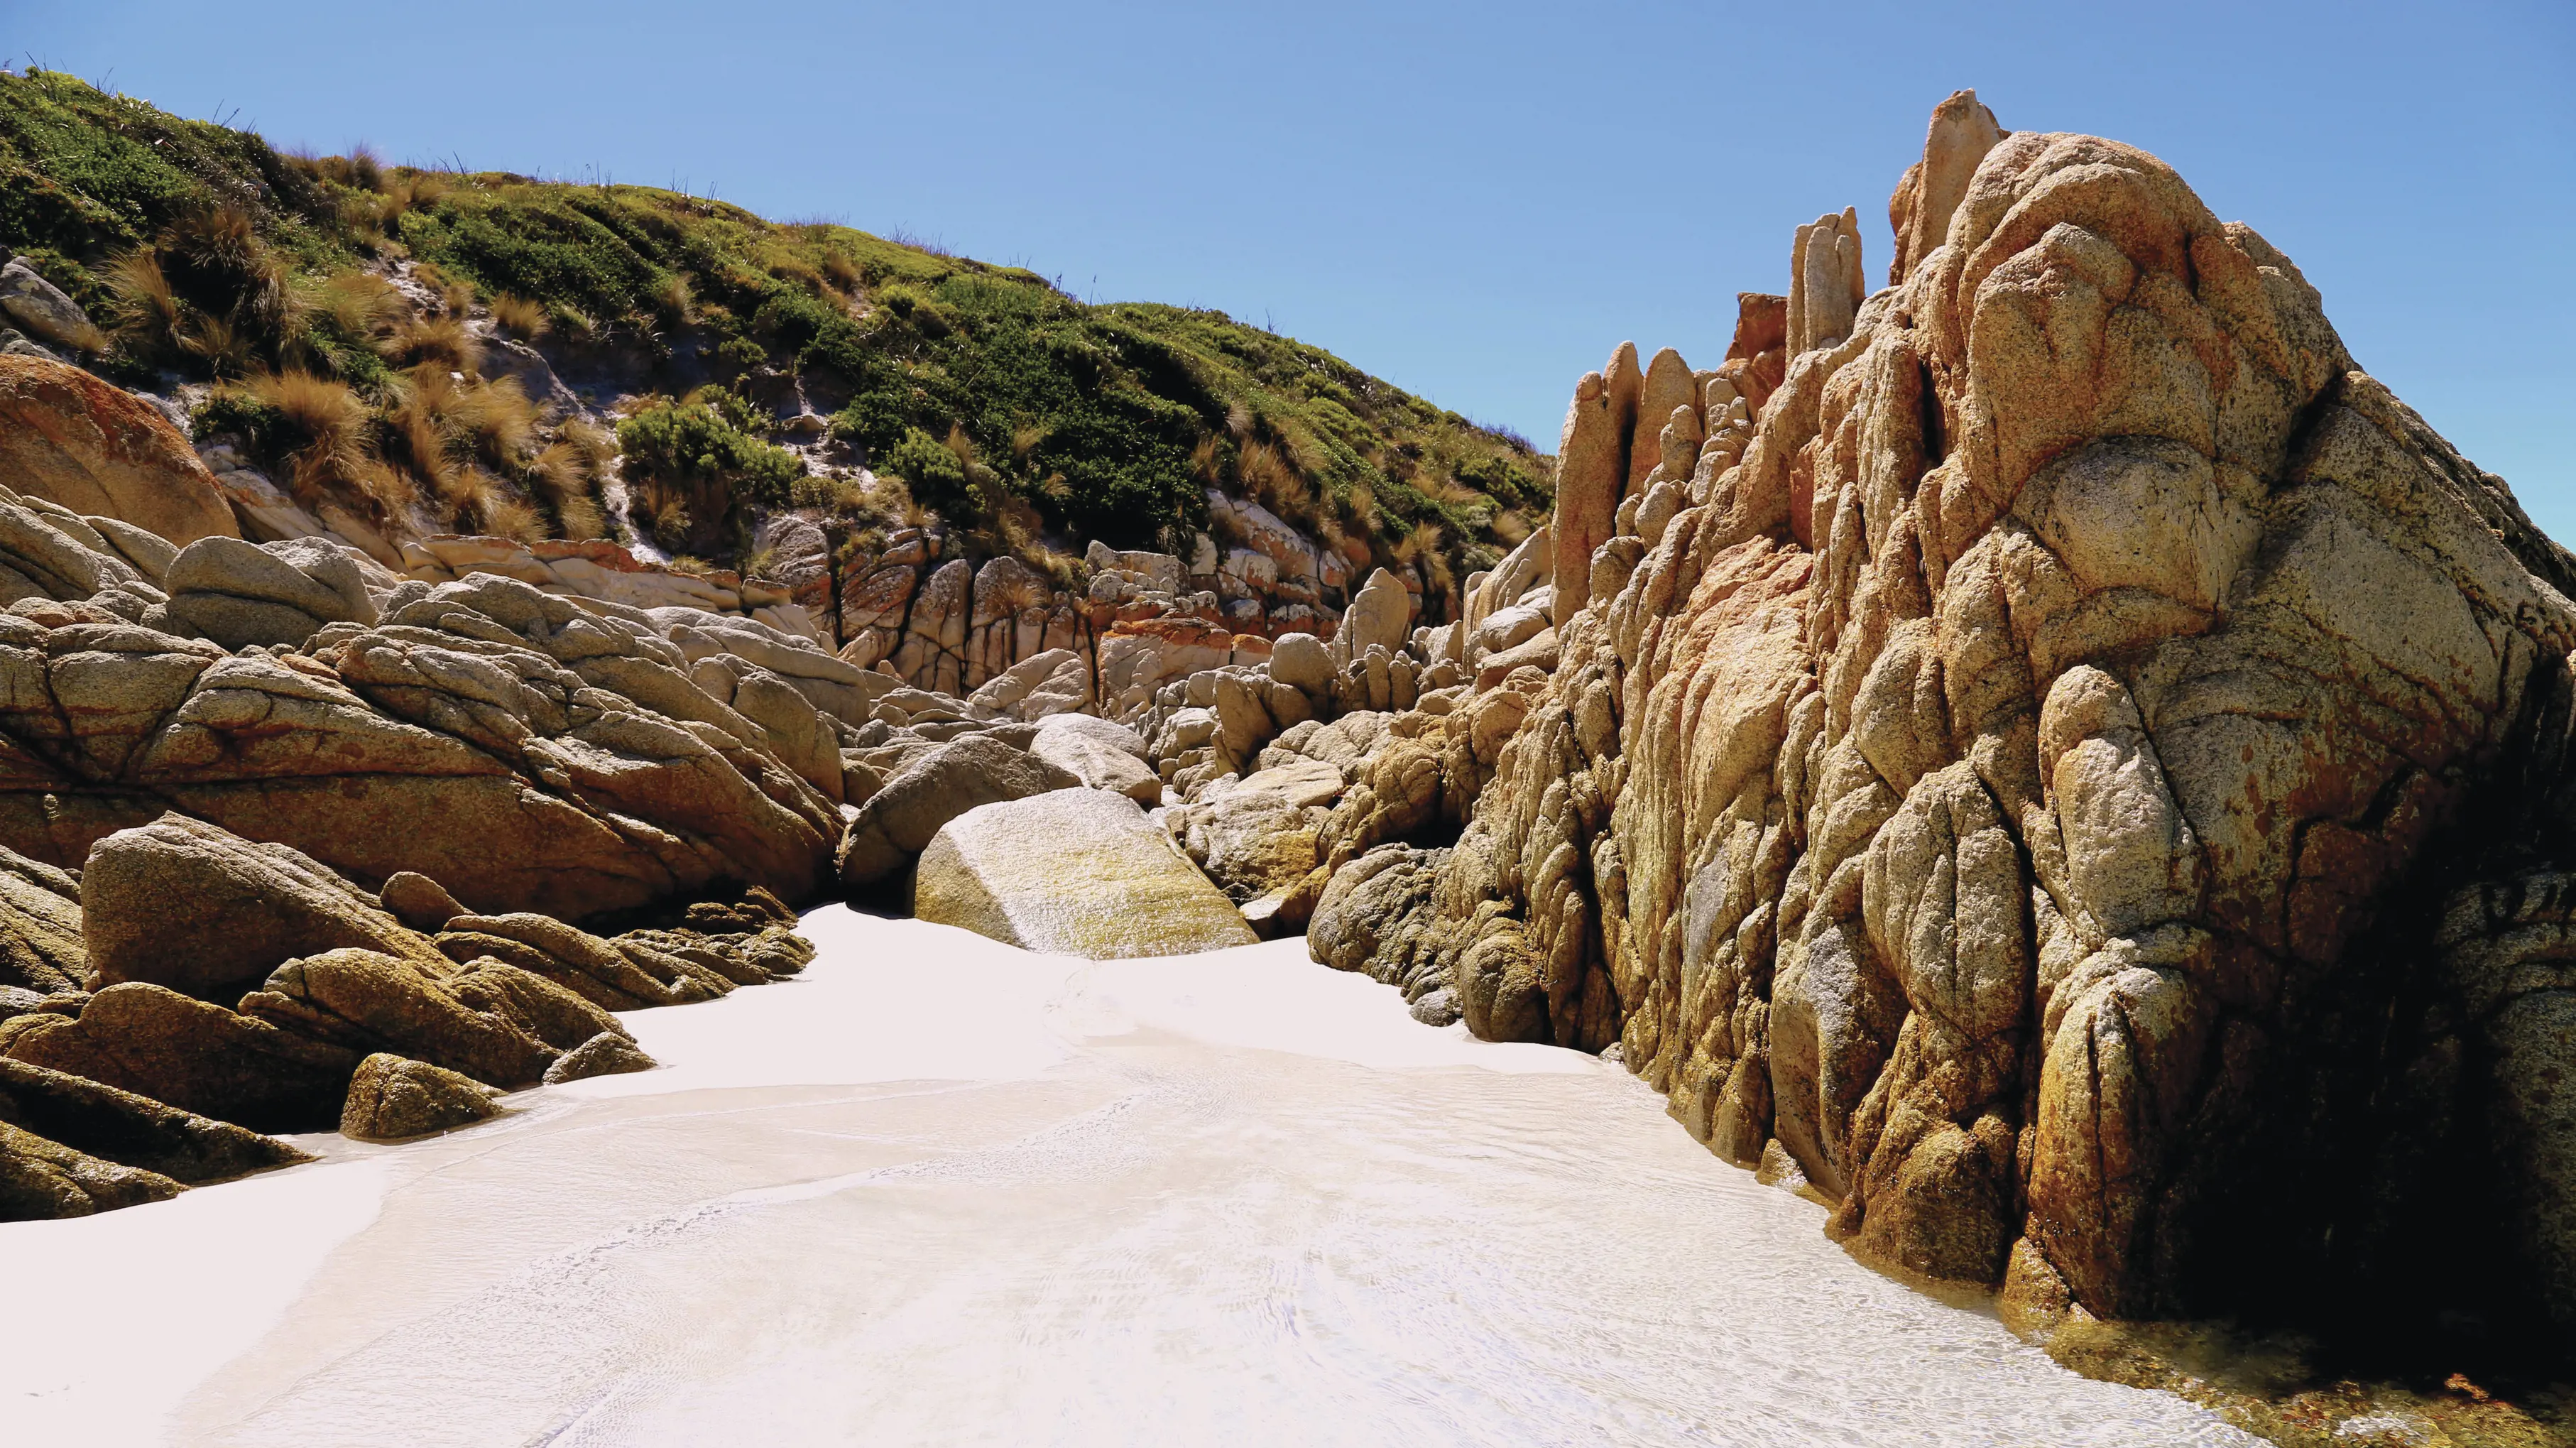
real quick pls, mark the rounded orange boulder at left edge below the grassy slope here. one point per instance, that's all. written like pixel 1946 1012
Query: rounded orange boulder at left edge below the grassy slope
pixel 73 439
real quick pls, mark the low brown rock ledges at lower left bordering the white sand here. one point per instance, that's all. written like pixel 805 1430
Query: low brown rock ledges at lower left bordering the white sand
pixel 506 1001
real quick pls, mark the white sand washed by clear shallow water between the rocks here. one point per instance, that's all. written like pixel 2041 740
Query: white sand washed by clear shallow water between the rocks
pixel 942 1192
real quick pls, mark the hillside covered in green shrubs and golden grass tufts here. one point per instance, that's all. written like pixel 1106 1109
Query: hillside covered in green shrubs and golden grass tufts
pixel 1001 403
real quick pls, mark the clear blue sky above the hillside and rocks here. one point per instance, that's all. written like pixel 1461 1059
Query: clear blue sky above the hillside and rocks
pixel 1477 202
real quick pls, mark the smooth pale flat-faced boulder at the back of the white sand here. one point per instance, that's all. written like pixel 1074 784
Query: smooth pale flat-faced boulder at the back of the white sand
pixel 1073 872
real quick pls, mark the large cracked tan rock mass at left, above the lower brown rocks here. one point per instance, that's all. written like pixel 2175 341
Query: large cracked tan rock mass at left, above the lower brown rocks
pixel 522 748
